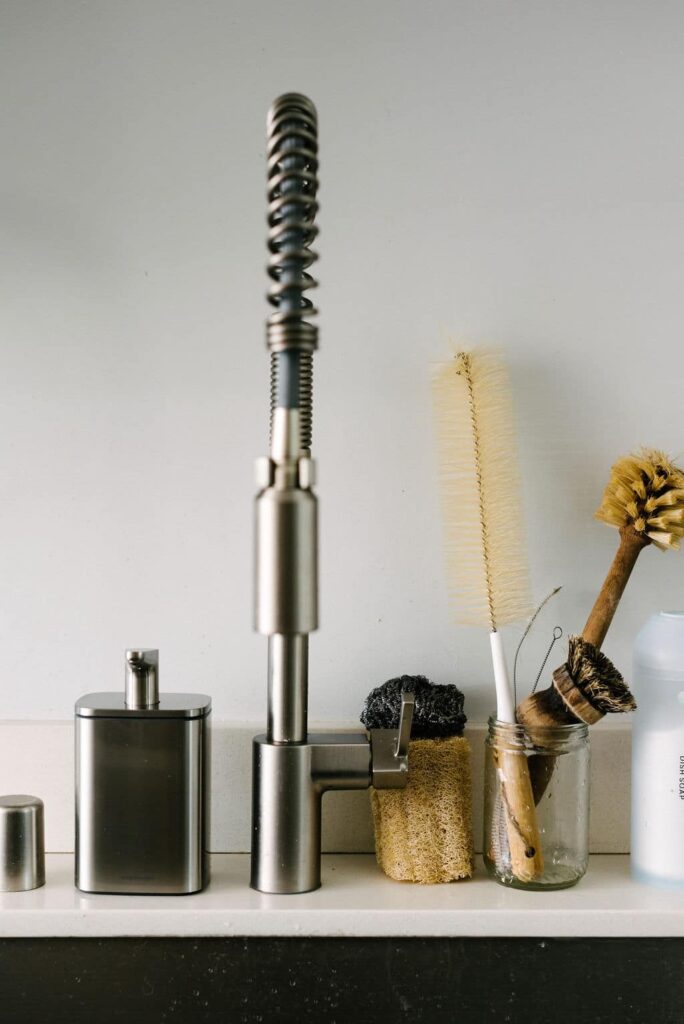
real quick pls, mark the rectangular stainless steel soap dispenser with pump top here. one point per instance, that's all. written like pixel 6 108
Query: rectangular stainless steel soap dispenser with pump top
pixel 142 787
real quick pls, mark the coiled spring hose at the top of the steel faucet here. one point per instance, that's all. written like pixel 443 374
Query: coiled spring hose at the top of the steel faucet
pixel 293 184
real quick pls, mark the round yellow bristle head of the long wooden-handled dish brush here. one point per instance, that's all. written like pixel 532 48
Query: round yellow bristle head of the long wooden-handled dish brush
pixel 647 492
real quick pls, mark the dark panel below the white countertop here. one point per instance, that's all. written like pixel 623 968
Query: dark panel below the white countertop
pixel 334 982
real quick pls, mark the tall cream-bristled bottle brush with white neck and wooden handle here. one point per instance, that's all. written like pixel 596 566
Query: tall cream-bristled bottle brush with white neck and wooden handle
pixel 486 563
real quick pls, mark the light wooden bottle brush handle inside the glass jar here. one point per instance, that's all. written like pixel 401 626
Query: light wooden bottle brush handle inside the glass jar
pixel 522 826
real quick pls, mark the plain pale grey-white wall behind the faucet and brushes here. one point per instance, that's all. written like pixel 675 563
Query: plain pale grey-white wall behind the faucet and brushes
pixel 507 173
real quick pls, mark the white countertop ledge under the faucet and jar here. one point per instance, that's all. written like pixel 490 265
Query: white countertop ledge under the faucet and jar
pixel 357 900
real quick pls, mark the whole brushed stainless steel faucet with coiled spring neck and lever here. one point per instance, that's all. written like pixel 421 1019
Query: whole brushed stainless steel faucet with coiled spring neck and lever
pixel 292 769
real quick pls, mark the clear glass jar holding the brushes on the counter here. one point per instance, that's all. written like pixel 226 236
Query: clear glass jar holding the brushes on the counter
pixel 537 805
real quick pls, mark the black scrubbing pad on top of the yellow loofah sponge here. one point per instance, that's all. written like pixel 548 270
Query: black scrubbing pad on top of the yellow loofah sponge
pixel 438 712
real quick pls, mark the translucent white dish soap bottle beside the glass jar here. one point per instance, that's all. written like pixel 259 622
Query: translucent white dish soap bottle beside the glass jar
pixel 658 751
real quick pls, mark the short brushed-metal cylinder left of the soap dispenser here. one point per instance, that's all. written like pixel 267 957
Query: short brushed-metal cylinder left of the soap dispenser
pixel 22 844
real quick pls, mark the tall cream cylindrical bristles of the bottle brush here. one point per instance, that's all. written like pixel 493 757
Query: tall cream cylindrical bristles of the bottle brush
pixel 486 557
